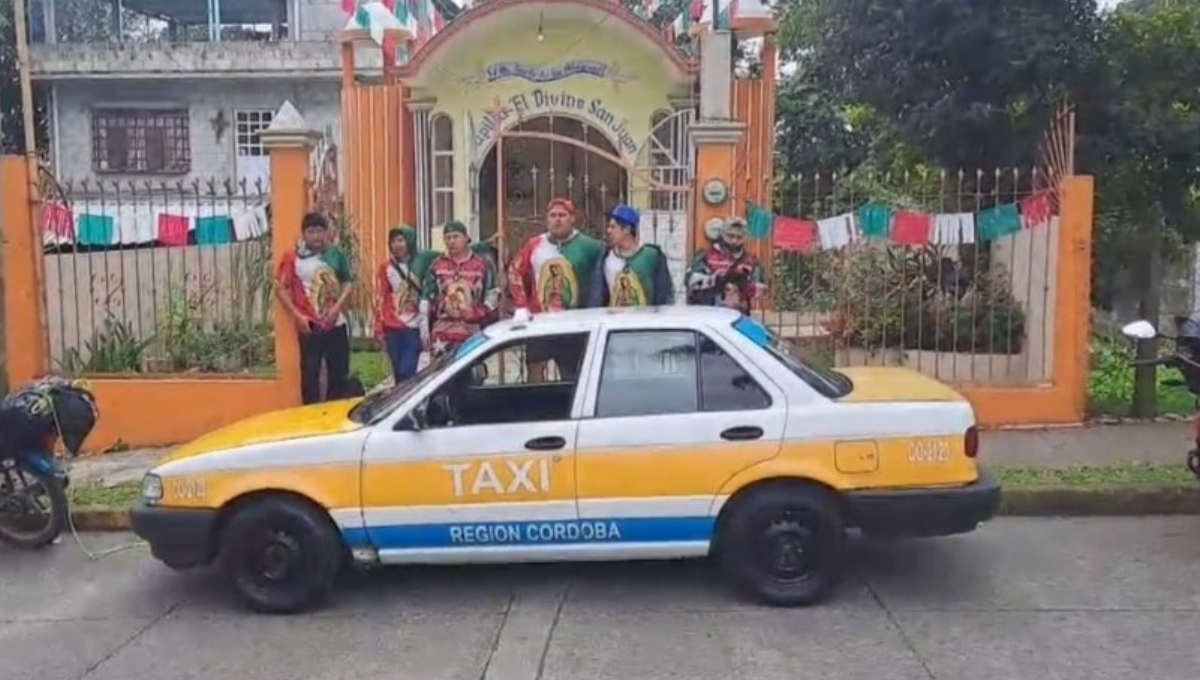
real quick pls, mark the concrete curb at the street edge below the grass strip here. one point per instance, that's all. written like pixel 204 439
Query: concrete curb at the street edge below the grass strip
pixel 1037 502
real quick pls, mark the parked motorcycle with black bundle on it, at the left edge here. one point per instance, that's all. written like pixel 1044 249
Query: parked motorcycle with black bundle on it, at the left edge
pixel 33 484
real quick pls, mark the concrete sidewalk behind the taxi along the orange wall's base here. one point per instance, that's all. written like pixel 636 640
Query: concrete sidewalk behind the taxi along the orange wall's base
pixel 1160 443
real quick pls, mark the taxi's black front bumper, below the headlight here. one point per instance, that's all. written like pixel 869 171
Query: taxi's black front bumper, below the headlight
pixel 181 538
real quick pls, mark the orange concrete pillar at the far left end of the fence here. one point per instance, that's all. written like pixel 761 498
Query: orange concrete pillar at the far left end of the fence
pixel 25 312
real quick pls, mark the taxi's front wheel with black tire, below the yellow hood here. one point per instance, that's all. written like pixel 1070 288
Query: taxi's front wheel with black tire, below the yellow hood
pixel 298 539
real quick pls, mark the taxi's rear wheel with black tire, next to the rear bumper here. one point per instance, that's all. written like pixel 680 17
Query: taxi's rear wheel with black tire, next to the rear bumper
pixel 800 529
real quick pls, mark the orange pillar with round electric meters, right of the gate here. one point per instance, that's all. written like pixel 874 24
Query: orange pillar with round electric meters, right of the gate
pixel 716 152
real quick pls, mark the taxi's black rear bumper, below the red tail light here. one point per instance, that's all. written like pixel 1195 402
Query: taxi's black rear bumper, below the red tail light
pixel 926 513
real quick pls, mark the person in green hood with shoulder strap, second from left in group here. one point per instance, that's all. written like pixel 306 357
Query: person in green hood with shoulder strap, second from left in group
pixel 401 329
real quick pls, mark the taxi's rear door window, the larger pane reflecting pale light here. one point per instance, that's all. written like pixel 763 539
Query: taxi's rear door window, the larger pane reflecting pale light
pixel 649 374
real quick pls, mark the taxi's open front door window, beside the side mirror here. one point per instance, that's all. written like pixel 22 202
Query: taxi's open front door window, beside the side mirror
pixel 525 381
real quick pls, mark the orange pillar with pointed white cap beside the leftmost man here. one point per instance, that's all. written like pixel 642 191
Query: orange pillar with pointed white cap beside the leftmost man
pixel 290 142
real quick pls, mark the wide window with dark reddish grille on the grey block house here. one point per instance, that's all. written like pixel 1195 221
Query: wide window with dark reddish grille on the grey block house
pixel 141 141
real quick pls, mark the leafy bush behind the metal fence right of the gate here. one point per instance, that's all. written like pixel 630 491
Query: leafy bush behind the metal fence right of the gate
pixel 885 298
